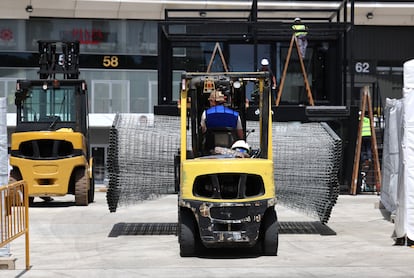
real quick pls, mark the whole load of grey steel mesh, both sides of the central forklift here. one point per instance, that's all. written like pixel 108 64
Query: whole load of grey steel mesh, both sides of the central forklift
pixel 307 160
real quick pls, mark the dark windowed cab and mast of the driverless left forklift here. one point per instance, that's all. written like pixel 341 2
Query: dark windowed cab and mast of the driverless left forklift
pixel 58 99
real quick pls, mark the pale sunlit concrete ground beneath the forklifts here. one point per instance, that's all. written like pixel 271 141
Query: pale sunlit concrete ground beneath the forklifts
pixel 71 241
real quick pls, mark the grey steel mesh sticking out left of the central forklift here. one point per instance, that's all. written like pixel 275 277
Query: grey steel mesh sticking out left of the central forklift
pixel 141 158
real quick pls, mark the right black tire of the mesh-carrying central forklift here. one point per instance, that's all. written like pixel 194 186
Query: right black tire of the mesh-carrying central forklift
pixel 270 234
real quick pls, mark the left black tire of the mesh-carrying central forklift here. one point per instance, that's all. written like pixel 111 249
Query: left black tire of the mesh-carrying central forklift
pixel 186 236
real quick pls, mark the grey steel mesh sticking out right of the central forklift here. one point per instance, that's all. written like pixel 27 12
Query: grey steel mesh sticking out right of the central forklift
pixel 307 159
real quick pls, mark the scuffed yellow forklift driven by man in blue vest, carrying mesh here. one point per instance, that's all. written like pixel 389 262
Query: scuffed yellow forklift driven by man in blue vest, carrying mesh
pixel 226 194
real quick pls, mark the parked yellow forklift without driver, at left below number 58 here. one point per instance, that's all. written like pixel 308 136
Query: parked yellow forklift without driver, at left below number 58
pixel 50 146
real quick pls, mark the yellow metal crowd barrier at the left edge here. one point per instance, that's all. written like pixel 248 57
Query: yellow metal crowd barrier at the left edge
pixel 14 215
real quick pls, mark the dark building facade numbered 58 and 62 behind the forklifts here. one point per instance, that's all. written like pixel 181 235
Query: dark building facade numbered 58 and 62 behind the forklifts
pixel 124 60
